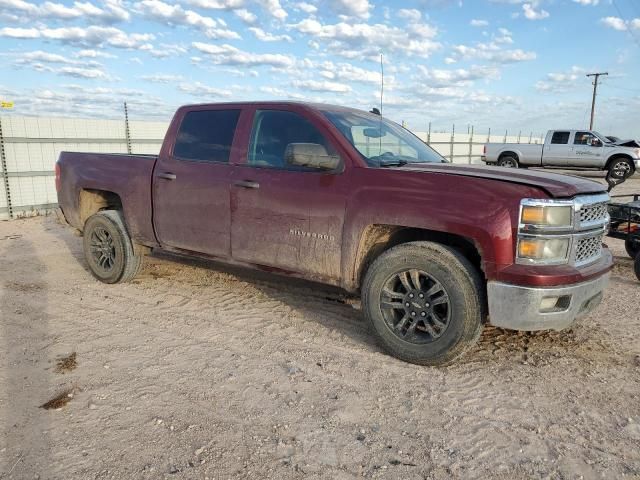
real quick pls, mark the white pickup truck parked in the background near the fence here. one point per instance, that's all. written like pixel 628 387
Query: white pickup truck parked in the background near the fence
pixel 580 149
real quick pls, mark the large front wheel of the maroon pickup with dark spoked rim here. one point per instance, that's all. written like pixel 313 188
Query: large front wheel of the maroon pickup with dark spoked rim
pixel 461 312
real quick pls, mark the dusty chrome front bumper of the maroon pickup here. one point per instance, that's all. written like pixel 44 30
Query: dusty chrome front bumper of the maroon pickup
pixel 526 308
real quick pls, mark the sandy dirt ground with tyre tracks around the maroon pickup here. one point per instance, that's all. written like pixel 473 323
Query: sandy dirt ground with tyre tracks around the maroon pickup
pixel 196 370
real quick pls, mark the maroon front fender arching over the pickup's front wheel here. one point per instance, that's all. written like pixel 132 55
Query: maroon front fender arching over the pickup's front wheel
pixel 480 210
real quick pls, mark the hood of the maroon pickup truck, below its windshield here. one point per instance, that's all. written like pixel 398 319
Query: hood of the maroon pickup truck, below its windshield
pixel 554 184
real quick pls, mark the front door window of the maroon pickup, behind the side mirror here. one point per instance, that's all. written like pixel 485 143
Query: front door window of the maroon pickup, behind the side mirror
pixel 273 130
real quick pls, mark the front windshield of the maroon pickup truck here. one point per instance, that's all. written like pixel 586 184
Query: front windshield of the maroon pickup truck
pixel 382 142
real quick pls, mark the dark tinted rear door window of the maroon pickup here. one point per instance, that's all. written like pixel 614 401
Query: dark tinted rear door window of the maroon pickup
pixel 206 135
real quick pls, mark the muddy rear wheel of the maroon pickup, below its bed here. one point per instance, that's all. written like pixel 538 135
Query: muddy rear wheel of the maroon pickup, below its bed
pixel 108 249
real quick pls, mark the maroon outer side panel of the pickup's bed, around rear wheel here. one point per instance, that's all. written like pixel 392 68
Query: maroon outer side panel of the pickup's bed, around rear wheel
pixel 127 176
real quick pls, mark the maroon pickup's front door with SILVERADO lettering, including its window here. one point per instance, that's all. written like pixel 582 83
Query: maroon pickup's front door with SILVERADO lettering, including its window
pixel 287 217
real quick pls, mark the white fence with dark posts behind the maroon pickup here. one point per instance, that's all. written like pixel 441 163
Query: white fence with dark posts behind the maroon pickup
pixel 29 148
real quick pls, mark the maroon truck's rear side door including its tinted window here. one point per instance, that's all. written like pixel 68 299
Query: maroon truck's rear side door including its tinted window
pixel 191 183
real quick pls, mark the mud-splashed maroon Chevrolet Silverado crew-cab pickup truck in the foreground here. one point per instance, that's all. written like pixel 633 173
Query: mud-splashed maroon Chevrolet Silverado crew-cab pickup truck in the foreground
pixel 349 198
